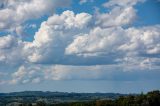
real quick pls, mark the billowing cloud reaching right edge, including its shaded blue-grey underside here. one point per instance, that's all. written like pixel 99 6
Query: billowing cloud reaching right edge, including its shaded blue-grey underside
pixel 128 46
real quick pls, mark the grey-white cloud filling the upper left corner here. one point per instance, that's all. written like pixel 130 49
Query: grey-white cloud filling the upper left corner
pixel 22 10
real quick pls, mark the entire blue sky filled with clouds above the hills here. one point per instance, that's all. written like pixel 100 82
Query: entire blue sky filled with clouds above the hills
pixel 80 45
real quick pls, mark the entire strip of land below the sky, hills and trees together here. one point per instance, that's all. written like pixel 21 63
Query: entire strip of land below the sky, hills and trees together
pixel 39 98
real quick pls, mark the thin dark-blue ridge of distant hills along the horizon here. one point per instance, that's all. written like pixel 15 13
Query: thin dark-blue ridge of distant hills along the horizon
pixel 59 94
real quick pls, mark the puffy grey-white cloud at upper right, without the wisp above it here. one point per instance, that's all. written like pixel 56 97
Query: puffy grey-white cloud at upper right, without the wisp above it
pixel 116 17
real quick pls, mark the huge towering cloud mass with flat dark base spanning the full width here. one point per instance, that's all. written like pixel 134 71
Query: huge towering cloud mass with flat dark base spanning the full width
pixel 68 38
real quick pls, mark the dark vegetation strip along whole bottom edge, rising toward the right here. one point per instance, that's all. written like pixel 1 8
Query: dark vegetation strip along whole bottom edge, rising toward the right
pixel 150 99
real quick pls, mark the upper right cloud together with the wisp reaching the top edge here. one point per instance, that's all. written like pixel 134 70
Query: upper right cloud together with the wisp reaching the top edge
pixel 122 13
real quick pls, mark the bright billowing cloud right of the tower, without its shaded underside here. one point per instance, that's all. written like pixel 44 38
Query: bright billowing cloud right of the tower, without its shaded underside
pixel 126 42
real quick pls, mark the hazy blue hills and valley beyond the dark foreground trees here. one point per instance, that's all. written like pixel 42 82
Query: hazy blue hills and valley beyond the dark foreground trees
pixel 54 97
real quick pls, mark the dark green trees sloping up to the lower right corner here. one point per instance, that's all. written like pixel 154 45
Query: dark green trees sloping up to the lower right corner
pixel 149 99
